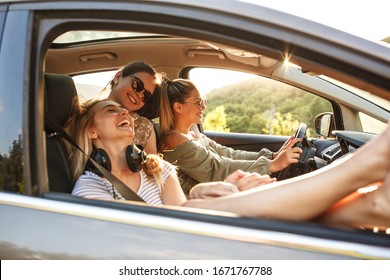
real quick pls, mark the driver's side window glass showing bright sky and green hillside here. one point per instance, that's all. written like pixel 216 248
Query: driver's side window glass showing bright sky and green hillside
pixel 246 103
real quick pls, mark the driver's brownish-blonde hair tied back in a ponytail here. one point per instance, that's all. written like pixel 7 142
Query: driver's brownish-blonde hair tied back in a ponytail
pixel 174 91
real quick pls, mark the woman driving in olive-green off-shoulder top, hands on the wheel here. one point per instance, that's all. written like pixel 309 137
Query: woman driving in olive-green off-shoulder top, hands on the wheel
pixel 199 158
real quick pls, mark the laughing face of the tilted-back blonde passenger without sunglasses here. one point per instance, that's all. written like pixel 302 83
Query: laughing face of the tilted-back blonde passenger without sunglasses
pixel 111 123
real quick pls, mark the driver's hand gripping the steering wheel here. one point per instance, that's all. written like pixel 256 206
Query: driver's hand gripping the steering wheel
pixel 287 155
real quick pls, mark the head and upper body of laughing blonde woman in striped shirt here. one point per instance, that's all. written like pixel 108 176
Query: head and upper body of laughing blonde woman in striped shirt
pixel 105 125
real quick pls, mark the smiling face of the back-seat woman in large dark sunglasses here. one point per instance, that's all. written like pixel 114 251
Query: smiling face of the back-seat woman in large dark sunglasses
pixel 124 91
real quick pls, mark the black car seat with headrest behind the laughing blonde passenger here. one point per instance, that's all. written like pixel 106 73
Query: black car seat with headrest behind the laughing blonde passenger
pixel 60 95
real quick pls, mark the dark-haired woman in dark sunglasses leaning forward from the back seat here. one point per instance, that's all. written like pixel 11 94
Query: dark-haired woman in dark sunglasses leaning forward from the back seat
pixel 133 87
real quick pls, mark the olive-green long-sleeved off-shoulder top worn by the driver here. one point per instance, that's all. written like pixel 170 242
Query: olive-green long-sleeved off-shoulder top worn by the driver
pixel 207 161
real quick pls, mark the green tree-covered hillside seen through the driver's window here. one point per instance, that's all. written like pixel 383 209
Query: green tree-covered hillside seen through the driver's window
pixel 251 106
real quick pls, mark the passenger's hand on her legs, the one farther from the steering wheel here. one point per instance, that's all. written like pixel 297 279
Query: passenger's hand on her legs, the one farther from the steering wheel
pixel 212 190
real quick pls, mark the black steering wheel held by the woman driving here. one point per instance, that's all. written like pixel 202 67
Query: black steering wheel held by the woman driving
pixel 306 160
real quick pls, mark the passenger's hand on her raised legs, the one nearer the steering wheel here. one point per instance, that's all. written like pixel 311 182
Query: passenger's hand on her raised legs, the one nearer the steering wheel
pixel 248 180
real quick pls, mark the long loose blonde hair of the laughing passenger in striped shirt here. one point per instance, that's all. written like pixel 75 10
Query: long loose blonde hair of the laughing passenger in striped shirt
pixel 77 128
